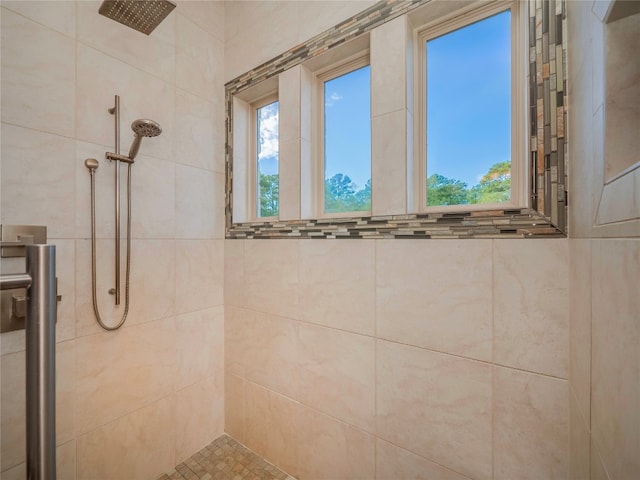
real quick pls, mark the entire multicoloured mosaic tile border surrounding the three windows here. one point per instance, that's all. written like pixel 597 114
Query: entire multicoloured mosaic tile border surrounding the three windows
pixel 548 146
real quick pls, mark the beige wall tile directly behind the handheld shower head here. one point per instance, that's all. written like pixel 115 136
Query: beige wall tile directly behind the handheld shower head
pixel 99 78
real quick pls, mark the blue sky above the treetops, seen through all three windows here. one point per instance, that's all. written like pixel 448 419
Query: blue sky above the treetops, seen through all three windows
pixel 468 107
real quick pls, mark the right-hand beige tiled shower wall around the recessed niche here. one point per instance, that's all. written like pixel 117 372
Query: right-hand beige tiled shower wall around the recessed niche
pixel 604 263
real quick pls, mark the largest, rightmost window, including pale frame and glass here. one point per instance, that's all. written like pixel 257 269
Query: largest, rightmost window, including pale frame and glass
pixel 472 147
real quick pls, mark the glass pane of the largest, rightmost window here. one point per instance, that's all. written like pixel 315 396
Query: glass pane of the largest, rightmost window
pixel 469 114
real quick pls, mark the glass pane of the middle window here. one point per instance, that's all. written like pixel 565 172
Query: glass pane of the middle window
pixel 347 142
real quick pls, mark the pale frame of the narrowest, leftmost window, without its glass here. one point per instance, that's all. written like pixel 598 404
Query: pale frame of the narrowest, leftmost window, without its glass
pixel 253 185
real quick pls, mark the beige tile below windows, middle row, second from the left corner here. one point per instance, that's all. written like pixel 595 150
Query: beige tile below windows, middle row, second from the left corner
pixel 271 357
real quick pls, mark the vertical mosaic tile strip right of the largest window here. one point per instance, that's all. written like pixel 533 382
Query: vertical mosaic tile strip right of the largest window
pixel 548 103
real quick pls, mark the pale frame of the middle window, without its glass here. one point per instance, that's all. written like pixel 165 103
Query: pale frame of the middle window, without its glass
pixel 347 65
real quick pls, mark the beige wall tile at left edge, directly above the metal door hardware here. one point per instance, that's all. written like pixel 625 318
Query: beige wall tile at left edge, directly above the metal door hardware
pixel 32 192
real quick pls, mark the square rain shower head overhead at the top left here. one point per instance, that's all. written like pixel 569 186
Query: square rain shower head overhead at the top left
pixel 141 15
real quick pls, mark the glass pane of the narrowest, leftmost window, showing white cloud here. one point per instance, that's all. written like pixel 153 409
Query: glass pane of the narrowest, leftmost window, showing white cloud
pixel 267 148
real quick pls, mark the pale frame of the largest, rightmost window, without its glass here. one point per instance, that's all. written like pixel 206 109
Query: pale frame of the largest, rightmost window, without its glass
pixel 519 102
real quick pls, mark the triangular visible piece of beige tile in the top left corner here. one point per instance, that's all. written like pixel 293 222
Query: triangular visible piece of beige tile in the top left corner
pixel 60 16
